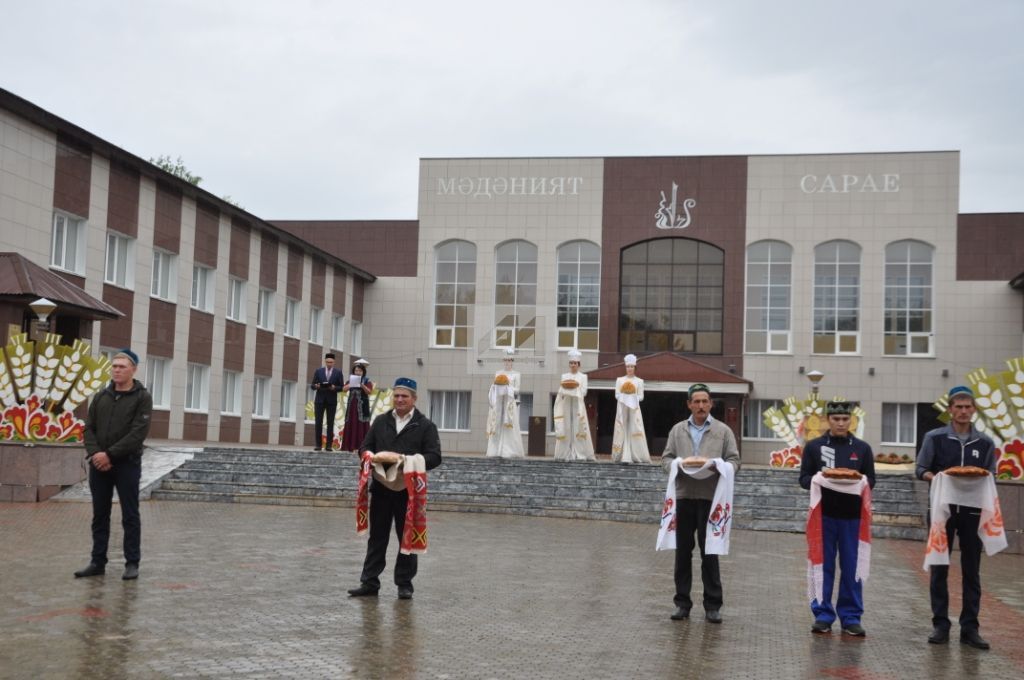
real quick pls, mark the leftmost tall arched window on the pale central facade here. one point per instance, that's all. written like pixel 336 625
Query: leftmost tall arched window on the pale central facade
pixel 455 293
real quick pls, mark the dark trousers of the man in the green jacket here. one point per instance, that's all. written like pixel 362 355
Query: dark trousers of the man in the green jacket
pixel 124 477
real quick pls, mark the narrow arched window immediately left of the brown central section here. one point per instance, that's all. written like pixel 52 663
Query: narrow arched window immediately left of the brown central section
pixel 579 294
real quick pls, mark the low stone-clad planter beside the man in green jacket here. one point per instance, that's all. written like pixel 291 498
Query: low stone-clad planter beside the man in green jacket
pixel 31 474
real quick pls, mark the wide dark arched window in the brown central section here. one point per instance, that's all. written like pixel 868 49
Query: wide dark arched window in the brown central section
pixel 671 297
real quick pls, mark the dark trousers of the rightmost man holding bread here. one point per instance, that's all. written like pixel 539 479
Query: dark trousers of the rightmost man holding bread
pixel 964 522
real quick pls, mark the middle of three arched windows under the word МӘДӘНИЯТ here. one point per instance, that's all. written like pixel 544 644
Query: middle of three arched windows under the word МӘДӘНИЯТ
pixel 516 294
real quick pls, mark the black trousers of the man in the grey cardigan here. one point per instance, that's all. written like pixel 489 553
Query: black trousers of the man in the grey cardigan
pixel 692 518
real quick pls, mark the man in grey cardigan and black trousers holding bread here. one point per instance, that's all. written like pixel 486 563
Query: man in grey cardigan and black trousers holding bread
pixel 702 437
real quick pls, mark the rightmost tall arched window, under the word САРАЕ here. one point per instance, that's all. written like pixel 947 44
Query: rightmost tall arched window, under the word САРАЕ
pixel 909 300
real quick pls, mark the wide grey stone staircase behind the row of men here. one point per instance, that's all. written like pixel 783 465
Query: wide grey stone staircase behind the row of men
pixel 765 499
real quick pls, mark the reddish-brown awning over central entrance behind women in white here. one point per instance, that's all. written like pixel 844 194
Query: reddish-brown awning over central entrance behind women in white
pixel 668 372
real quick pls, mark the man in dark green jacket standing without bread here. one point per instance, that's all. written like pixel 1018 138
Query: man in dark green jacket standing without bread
pixel 115 431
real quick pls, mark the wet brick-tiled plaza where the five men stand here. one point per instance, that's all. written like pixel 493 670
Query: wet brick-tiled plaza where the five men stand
pixel 251 591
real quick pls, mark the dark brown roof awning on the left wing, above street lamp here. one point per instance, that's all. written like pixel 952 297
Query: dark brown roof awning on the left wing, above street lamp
pixel 22 281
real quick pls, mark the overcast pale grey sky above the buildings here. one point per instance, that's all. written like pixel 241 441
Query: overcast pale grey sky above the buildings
pixel 318 109
